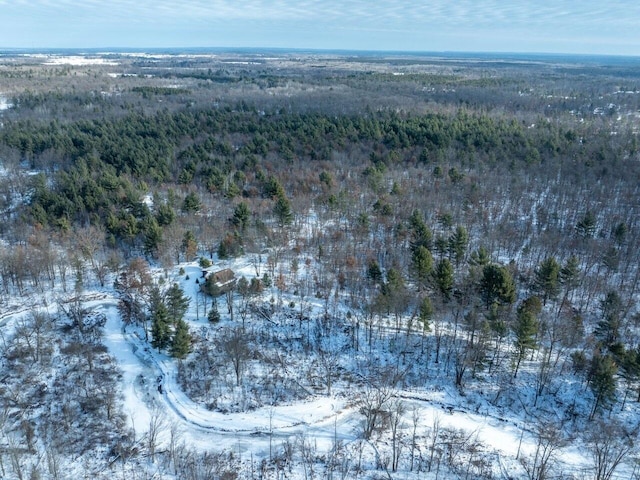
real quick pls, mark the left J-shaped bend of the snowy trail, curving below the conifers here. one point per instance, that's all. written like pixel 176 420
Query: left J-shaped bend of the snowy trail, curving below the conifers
pixel 142 367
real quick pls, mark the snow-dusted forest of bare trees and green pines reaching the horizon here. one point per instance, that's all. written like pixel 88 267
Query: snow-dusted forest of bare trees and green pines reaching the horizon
pixel 407 225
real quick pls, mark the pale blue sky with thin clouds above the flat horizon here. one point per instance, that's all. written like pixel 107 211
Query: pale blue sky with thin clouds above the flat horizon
pixel 519 26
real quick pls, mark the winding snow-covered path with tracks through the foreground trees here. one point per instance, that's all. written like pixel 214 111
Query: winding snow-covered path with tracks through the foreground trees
pixel 323 418
